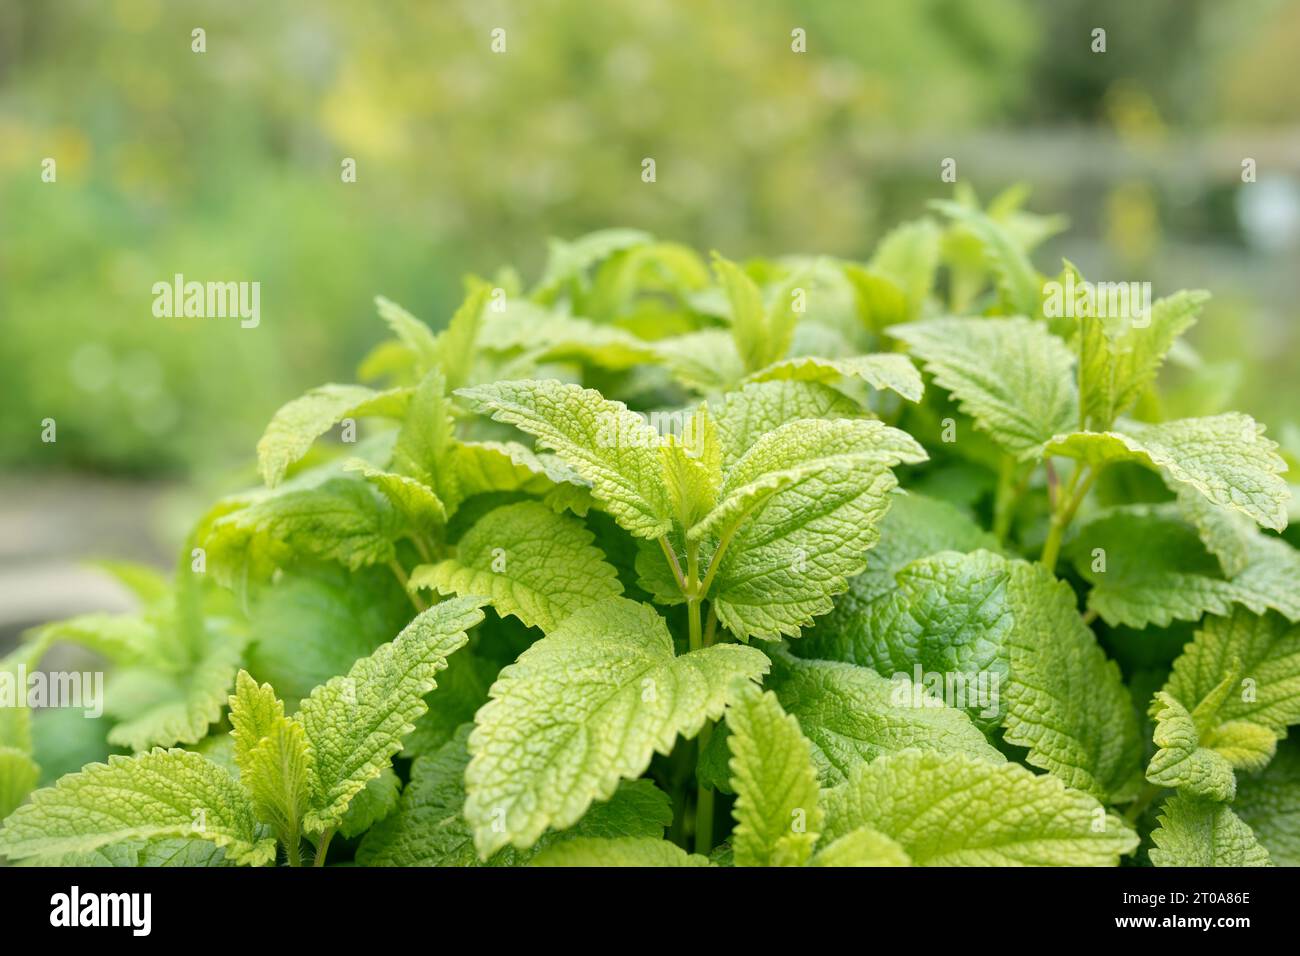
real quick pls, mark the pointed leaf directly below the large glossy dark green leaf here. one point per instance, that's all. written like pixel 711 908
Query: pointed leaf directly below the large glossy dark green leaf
pixel 853 716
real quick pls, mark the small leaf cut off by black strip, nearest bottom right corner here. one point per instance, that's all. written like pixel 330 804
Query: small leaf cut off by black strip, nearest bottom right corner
pixel 1203 833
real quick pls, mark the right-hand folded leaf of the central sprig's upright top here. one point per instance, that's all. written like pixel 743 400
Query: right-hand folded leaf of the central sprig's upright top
pixel 794 548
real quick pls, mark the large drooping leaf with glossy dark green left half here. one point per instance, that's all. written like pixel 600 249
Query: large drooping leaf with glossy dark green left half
pixel 1007 634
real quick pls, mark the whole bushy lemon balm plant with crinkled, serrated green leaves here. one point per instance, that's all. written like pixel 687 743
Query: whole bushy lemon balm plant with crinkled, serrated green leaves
pixel 891 566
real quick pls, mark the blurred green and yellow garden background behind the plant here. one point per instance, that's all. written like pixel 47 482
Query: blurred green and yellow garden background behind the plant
pixel 227 166
